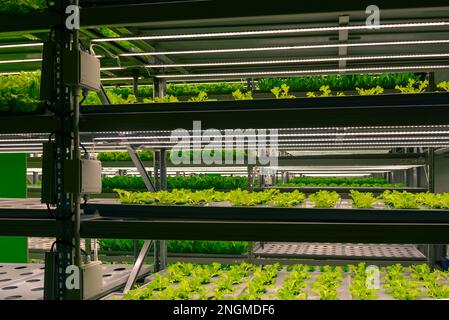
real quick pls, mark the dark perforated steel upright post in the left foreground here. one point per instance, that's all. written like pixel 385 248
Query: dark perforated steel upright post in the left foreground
pixel 67 213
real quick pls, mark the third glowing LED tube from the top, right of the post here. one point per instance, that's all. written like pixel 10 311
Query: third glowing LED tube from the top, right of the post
pixel 299 72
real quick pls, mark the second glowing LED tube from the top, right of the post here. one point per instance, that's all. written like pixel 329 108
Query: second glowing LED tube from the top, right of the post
pixel 286 48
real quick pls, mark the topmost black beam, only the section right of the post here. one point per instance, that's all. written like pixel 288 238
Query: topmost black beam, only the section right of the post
pixel 177 13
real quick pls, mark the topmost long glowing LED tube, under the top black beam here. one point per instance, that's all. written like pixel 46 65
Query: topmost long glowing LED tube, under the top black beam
pixel 275 31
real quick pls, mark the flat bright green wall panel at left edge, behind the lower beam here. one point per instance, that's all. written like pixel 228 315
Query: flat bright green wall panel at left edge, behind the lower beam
pixel 13 184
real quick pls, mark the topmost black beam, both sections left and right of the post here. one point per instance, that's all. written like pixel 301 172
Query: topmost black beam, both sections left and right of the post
pixel 176 13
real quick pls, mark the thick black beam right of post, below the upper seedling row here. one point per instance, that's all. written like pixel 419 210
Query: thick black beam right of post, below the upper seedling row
pixel 359 111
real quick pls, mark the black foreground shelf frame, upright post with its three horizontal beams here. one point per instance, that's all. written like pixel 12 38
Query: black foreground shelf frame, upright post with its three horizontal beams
pixel 226 224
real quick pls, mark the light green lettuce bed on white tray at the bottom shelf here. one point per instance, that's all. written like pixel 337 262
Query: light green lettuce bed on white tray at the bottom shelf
pixel 185 281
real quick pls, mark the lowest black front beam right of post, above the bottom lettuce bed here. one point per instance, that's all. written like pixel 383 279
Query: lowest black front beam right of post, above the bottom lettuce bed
pixel 268 231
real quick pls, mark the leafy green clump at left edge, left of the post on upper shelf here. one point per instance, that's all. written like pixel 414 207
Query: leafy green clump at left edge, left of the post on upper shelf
pixel 20 93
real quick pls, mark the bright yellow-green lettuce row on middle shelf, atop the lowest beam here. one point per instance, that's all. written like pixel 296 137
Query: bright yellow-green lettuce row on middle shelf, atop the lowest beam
pixel 272 197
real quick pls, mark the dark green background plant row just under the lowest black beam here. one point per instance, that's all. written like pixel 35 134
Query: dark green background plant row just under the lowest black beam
pixel 179 246
